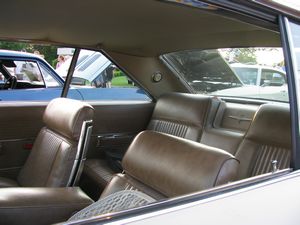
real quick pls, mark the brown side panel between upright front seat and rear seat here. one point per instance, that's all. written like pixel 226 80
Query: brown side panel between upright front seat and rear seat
pixel 116 124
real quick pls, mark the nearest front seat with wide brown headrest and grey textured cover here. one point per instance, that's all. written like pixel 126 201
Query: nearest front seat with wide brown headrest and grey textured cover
pixel 164 166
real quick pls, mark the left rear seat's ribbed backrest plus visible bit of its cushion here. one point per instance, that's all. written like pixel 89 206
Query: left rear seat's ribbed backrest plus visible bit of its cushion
pixel 178 114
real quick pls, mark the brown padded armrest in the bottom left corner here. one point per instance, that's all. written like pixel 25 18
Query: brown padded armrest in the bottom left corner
pixel 40 205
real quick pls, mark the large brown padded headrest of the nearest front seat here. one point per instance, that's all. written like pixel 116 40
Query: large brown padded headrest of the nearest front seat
pixel 174 166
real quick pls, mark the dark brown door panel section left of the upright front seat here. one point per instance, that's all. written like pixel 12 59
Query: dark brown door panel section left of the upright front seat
pixel 19 126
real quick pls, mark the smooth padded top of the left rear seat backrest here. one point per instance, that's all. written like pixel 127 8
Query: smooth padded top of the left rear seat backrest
pixel 190 109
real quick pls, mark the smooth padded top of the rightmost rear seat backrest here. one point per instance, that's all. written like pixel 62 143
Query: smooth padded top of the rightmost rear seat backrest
pixel 271 125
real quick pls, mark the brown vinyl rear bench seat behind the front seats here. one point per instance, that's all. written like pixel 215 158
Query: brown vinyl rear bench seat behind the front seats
pixel 186 116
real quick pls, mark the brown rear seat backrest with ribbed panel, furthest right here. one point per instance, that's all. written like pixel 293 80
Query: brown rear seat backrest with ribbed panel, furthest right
pixel 267 139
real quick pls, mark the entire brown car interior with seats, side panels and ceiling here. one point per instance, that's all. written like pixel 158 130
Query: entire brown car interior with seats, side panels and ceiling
pixel 66 160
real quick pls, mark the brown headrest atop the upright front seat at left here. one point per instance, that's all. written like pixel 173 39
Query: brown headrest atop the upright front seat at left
pixel 66 116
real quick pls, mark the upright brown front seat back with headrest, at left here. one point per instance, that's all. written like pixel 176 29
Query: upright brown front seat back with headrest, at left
pixel 54 151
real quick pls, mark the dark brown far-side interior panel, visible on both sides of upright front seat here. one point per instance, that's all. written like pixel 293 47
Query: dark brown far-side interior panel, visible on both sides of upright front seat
pixel 115 124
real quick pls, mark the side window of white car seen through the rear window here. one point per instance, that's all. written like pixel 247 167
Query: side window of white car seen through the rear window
pixel 272 78
